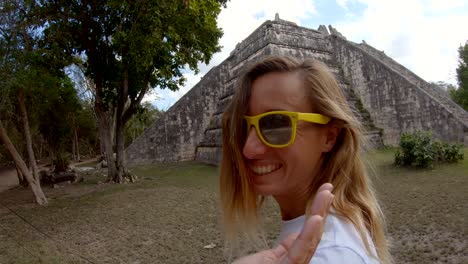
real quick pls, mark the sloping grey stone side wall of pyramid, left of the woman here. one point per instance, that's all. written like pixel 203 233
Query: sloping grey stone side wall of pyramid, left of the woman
pixel 175 135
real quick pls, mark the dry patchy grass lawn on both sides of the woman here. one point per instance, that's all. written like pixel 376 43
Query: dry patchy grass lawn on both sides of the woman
pixel 172 213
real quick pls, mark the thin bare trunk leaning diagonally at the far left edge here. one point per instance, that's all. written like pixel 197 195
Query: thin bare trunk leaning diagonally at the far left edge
pixel 33 183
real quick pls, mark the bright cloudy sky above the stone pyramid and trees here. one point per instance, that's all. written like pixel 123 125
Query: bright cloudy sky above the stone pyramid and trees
pixel 422 35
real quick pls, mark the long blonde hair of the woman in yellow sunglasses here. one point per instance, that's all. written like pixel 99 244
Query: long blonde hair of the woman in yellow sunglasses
pixel 342 166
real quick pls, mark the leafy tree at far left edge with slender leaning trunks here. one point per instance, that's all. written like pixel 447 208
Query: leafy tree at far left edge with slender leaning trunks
pixel 32 76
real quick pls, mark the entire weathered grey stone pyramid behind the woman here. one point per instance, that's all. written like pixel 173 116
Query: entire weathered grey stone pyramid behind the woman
pixel 395 99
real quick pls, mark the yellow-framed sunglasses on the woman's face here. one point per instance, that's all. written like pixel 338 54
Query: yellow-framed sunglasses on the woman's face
pixel 277 129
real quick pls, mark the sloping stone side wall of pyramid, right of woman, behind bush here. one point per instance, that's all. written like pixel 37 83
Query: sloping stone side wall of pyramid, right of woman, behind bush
pixel 397 100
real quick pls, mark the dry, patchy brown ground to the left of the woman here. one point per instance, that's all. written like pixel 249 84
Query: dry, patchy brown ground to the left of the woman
pixel 157 220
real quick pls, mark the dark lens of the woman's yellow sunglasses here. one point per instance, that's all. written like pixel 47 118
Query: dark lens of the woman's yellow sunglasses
pixel 276 128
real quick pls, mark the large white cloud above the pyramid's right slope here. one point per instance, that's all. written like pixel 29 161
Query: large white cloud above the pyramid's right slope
pixel 421 35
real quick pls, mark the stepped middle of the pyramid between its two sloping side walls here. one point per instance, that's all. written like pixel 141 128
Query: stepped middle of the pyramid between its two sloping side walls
pixel 209 149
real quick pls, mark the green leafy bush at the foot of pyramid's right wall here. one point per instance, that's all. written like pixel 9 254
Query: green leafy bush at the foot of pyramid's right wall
pixel 420 150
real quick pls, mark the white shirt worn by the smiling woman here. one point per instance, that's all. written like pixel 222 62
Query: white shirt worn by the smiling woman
pixel 340 242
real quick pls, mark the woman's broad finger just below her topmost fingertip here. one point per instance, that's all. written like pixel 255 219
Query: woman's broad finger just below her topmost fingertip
pixel 307 242
